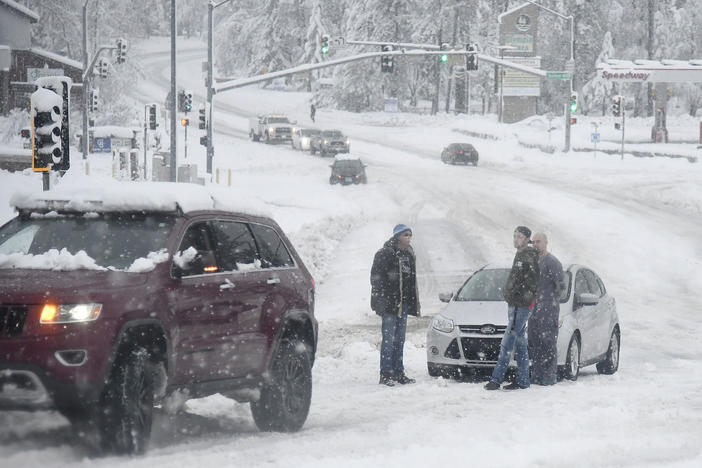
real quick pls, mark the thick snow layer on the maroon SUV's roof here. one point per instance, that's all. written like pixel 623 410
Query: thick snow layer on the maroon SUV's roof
pixel 106 195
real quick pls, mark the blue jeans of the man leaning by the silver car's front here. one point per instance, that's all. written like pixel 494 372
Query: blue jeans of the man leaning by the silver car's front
pixel 514 338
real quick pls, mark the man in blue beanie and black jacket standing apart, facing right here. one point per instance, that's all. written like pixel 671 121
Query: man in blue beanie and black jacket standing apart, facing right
pixel 393 297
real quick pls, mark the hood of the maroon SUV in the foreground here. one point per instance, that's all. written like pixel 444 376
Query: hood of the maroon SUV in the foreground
pixel 25 284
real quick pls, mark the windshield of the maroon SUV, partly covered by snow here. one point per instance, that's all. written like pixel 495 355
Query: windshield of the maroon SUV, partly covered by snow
pixel 112 240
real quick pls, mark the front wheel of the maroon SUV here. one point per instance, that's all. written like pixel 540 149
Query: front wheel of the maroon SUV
pixel 128 405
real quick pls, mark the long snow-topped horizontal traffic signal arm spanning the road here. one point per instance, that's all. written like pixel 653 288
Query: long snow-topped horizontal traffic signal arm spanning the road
pixel 225 85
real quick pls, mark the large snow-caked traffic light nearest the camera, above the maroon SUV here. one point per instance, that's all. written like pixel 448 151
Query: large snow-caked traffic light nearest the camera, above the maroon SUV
pixel 47 115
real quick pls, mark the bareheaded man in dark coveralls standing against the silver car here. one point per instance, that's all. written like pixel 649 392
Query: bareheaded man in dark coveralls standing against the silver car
pixel 543 322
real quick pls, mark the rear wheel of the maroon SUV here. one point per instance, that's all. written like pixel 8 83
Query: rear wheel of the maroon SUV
pixel 285 399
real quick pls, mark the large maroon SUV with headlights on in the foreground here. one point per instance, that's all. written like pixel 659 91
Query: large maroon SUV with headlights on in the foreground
pixel 107 309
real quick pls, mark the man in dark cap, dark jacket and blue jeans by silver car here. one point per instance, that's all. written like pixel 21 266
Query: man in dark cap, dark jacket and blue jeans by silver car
pixel 520 294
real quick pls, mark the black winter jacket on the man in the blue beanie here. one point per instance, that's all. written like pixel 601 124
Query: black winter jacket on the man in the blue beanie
pixel 387 282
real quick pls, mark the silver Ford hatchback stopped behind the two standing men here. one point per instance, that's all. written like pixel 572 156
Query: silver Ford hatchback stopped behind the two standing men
pixel 465 337
